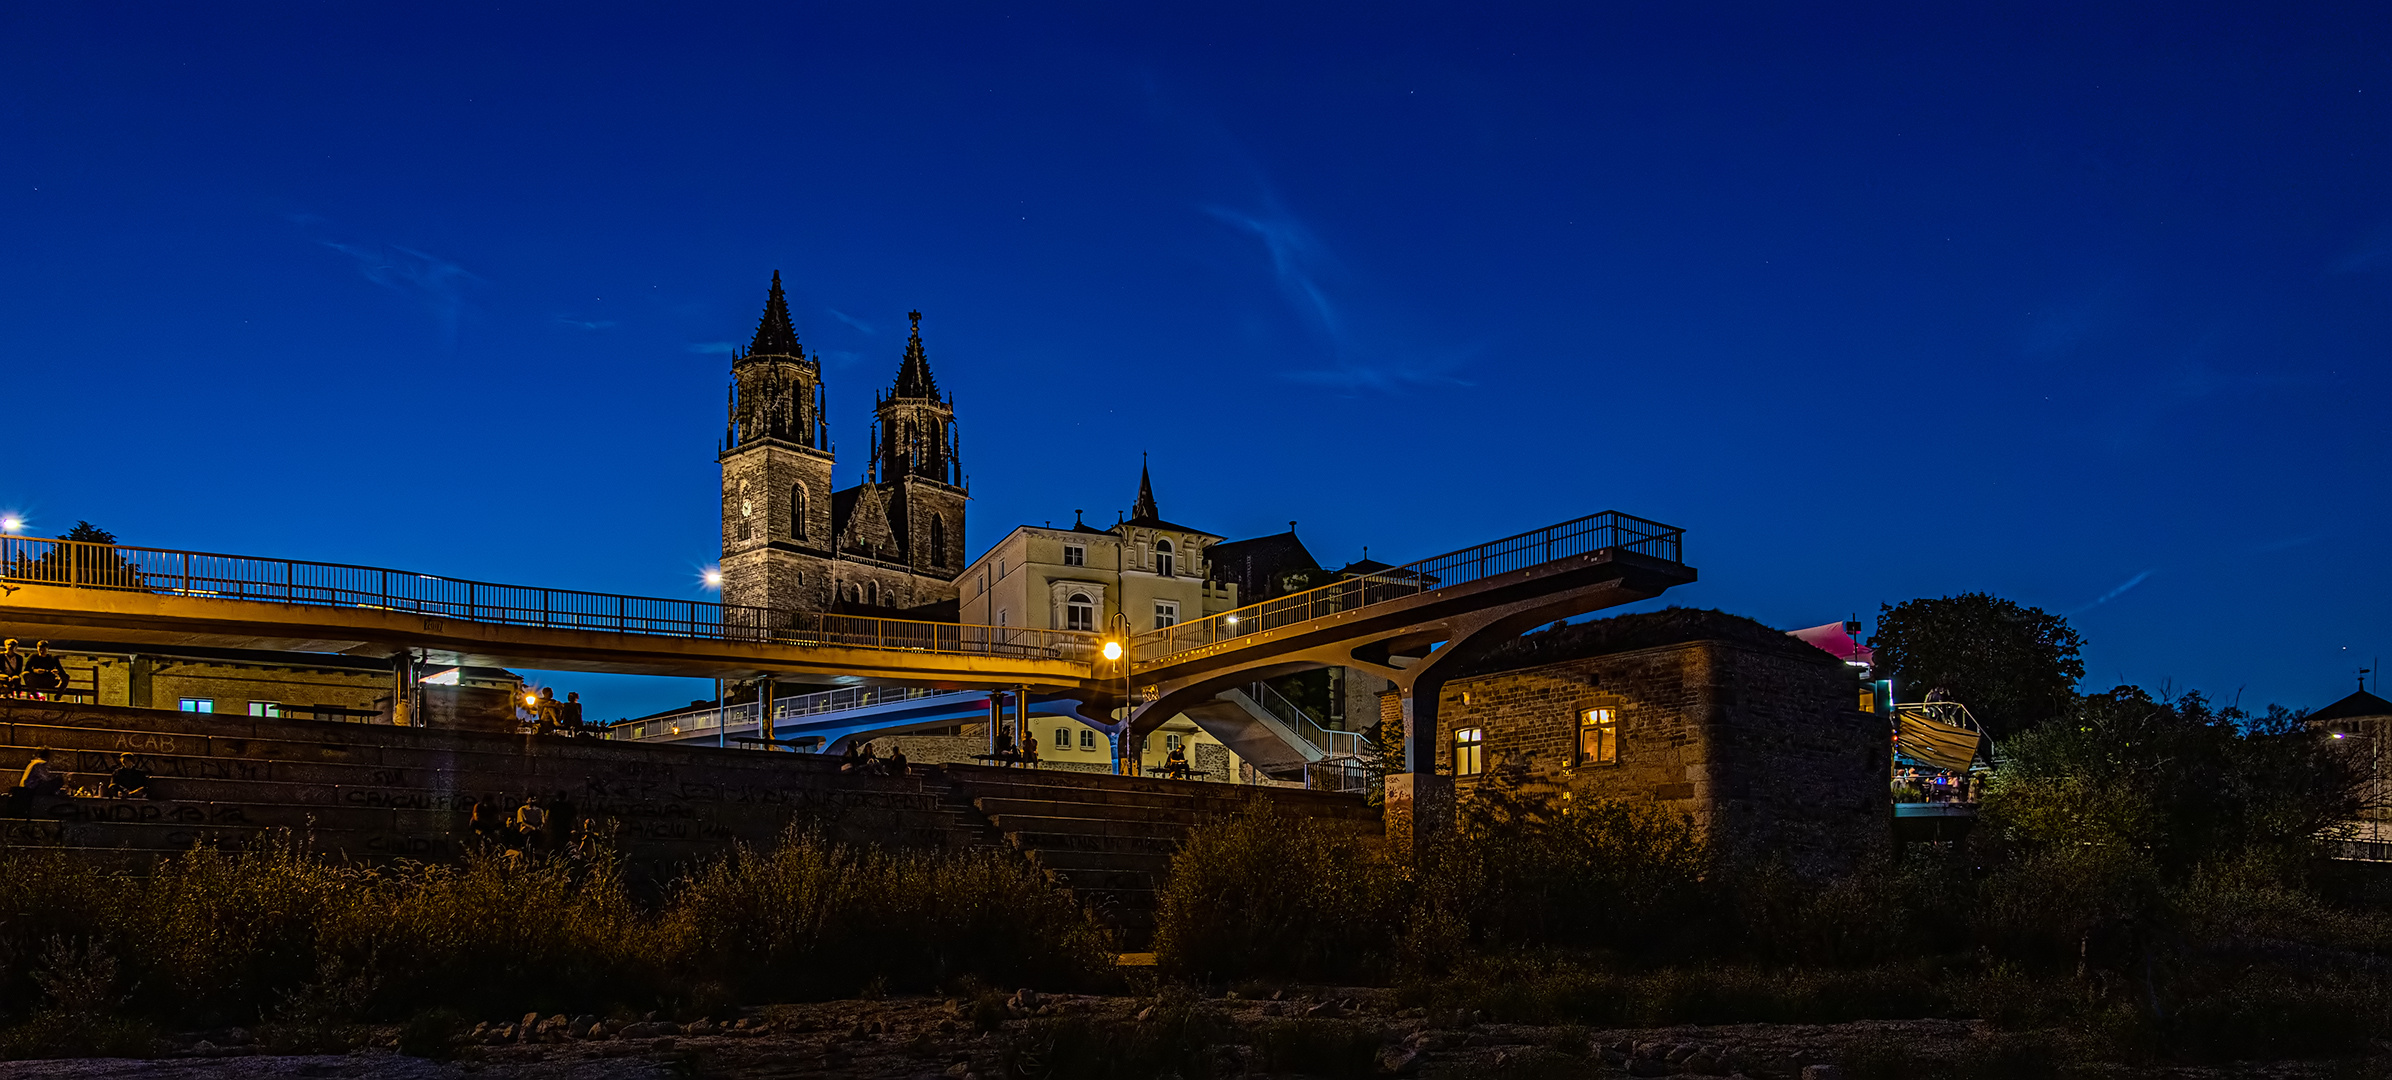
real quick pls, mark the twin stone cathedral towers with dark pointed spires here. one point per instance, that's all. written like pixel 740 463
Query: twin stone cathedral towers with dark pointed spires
pixel 886 546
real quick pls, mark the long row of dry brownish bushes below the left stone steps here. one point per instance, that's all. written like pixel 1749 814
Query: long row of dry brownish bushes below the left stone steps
pixel 305 950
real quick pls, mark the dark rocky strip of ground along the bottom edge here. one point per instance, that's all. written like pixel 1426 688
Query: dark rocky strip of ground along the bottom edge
pixel 1039 1036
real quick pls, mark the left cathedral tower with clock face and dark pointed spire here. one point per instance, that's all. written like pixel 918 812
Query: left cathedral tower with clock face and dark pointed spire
pixel 776 472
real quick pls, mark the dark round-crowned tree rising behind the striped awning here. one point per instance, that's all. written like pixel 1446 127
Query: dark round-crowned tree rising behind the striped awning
pixel 2010 665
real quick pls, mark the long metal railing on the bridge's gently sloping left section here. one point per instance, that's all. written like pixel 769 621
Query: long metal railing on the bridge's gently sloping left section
pixel 322 584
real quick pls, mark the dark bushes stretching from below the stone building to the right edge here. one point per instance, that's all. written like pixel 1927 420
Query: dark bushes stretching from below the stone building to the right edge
pixel 2144 883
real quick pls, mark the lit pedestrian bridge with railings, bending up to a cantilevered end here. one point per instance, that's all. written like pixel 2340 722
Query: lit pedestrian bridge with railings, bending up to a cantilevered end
pixel 1401 622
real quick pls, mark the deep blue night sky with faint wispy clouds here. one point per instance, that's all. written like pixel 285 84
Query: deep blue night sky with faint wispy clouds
pixel 2080 309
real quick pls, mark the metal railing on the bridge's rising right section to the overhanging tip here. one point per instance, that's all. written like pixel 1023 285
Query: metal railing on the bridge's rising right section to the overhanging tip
pixel 1570 539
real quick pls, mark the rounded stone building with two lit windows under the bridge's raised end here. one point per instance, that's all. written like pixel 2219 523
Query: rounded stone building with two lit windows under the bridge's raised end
pixel 1747 732
